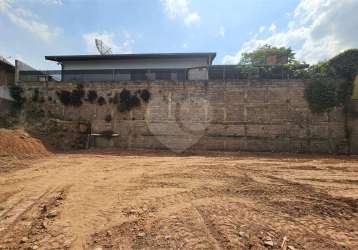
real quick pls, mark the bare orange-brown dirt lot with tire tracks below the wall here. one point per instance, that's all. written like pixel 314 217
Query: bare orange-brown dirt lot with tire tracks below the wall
pixel 146 200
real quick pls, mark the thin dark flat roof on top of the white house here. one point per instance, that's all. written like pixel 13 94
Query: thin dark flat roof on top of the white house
pixel 210 55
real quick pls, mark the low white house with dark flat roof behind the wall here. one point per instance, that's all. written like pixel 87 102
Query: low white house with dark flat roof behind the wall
pixel 175 66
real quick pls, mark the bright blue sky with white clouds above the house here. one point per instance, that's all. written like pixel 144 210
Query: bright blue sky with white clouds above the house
pixel 315 29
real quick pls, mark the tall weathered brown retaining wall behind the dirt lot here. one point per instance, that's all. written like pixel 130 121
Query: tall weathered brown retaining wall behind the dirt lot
pixel 245 115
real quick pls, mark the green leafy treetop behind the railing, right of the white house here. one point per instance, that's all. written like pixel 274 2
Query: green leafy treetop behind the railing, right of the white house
pixel 258 56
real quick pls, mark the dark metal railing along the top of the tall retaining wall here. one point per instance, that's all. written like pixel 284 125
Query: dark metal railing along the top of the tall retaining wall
pixel 215 72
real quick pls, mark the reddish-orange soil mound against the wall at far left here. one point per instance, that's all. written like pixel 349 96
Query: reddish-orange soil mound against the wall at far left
pixel 17 143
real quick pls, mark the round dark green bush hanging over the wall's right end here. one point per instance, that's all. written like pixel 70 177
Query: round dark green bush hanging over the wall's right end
pixel 322 95
